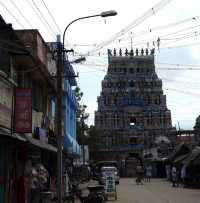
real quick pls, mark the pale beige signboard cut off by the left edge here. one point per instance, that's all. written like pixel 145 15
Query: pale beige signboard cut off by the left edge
pixel 6 93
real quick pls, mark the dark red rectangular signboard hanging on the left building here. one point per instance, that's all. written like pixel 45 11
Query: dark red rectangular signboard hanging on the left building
pixel 23 110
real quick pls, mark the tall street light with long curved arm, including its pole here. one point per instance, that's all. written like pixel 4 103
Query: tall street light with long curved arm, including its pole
pixel 60 68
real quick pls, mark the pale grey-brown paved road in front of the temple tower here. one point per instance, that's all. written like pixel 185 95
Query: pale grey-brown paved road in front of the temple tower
pixel 158 191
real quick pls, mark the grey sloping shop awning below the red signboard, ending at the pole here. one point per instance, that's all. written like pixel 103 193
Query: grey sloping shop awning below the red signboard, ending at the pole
pixel 40 144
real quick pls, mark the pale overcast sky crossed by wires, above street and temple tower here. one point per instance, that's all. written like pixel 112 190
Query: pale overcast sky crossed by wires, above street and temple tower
pixel 177 25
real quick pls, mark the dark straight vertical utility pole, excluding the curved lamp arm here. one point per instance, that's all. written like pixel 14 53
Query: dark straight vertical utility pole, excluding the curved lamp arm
pixel 59 118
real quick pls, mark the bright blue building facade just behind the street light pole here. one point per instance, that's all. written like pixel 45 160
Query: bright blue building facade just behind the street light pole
pixel 69 107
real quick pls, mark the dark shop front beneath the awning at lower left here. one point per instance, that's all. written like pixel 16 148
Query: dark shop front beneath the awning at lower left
pixel 27 169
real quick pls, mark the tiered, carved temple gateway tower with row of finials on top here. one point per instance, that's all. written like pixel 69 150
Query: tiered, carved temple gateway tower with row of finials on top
pixel 132 108
